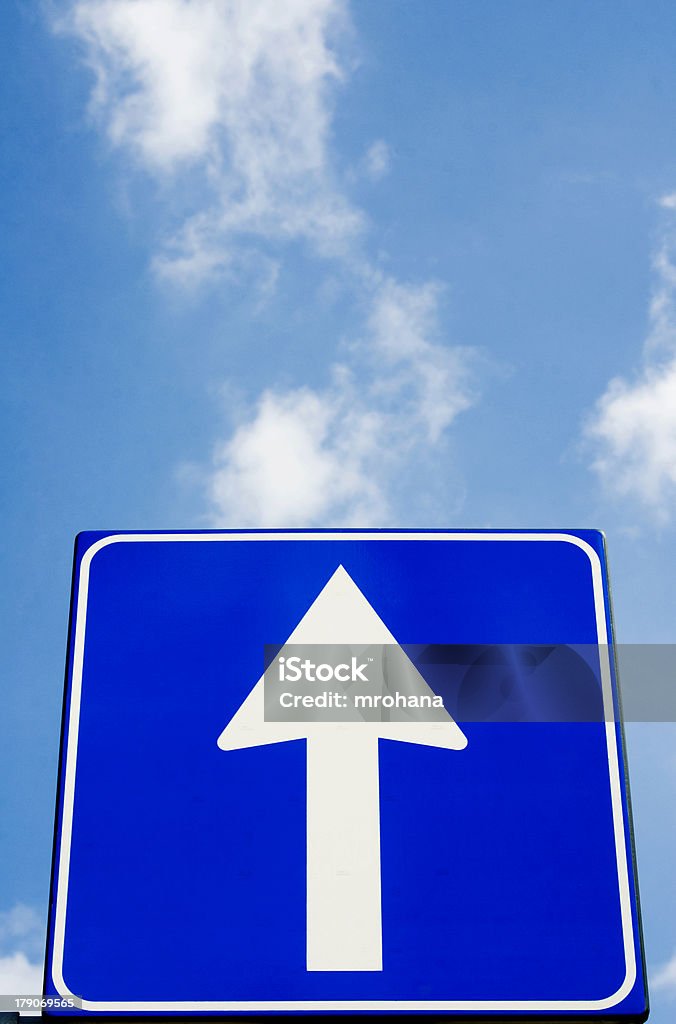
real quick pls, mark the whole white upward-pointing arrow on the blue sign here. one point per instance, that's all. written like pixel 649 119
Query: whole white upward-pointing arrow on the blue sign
pixel 345 923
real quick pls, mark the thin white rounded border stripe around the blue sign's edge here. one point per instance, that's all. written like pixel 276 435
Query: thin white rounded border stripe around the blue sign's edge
pixel 351 1005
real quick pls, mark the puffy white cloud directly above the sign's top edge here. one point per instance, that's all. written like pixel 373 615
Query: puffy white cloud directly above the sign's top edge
pixel 310 457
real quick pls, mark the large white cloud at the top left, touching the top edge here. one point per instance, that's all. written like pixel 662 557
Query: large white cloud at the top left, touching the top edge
pixel 236 92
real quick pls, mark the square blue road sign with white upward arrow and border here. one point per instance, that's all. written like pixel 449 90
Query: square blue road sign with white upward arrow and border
pixel 209 861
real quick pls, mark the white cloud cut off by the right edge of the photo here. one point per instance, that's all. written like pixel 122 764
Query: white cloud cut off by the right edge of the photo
pixel 633 428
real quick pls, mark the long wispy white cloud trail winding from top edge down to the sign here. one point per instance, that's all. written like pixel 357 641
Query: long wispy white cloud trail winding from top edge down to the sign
pixel 235 100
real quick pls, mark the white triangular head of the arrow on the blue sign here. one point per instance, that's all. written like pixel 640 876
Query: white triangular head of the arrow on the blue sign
pixel 341 615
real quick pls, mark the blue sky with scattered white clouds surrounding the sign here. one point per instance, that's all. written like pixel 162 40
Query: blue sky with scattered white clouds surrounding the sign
pixel 369 264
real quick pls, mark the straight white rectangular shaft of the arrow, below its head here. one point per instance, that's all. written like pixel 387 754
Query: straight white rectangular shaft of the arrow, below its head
pixel 345 920
